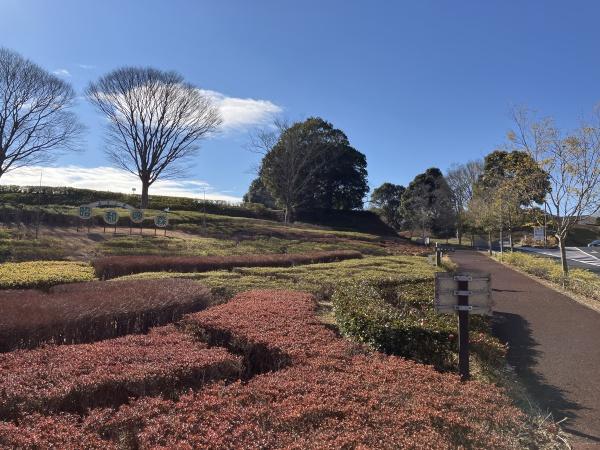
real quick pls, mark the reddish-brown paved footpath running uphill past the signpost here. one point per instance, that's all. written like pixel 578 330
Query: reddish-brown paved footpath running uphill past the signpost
pixel 554 345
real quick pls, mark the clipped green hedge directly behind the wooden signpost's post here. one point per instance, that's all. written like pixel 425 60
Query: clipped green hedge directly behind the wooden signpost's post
pixel 399 319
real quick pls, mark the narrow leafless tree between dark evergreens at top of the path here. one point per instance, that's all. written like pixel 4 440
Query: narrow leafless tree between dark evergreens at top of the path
pixel 462 179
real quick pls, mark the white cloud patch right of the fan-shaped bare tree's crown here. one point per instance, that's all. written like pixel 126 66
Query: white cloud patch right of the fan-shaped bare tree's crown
pixel 240 113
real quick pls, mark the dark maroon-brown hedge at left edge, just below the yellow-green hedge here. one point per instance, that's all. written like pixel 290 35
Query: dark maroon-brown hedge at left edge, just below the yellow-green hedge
pixel 87 312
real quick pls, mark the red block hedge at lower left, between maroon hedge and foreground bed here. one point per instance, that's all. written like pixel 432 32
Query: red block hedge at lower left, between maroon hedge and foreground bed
pixel 107 373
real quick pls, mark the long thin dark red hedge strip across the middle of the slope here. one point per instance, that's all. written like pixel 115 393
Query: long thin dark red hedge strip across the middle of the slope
pixel 115 266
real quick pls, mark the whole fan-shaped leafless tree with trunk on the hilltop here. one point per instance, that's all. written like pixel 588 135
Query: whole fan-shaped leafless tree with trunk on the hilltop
pixel 155 120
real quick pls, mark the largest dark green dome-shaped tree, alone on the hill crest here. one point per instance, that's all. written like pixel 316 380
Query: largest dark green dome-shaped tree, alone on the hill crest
pixel 312 165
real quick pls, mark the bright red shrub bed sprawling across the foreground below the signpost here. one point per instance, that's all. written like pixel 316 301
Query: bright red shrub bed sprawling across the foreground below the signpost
pixel 331 395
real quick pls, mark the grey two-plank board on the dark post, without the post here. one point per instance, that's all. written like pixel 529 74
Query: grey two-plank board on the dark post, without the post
pixel 447 292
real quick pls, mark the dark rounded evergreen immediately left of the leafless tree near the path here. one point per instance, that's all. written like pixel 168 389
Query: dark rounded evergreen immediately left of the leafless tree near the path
pixel 427 204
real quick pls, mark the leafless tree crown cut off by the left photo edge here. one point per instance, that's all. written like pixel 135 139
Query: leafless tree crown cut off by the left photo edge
pixel 35 117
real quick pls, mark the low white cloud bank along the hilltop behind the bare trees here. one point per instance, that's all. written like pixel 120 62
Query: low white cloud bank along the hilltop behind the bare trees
pixel 109 179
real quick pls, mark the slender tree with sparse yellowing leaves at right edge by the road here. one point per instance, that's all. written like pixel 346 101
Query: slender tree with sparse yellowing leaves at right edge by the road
pixel 573 164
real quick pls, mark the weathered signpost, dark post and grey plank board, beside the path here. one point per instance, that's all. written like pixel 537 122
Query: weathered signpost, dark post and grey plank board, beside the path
pixel 463 294
